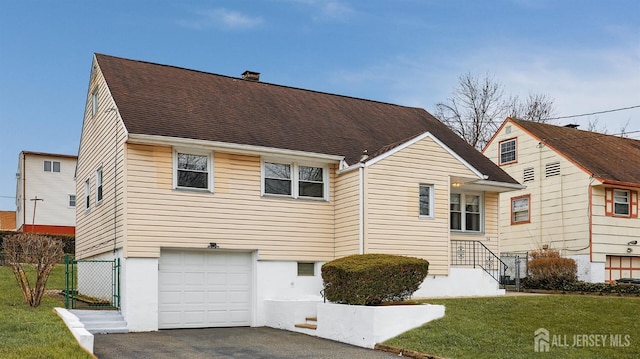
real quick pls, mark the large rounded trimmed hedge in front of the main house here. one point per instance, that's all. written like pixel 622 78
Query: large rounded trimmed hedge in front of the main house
pixel 372 279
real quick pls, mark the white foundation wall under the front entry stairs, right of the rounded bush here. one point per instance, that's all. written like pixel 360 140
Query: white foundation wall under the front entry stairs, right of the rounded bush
pixel 461 282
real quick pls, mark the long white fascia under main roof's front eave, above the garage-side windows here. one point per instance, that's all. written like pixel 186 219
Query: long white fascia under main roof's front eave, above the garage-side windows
pixel 230 147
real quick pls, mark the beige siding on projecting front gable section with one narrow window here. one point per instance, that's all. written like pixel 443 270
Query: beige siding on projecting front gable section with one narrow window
pixel 392 210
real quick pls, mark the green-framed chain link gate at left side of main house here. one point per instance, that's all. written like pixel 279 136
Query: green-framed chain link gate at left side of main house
pixel 92 284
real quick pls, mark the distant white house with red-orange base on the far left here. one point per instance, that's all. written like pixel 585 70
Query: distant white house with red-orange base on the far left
pixel 46 193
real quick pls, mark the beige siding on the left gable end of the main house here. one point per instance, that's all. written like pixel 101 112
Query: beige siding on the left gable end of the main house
pixel 101 228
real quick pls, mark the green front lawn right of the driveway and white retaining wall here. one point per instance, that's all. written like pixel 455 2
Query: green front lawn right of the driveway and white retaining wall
pixel 503 327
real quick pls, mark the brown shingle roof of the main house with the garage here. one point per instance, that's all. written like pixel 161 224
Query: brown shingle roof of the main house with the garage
pixel 164 100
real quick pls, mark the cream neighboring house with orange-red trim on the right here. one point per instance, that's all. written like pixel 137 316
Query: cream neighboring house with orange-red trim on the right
pixel 581 196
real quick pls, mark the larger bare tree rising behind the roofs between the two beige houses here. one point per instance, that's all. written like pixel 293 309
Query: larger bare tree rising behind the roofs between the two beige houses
pixel 474 110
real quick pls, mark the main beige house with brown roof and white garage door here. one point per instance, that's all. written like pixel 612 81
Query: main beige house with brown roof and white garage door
pixel 219 193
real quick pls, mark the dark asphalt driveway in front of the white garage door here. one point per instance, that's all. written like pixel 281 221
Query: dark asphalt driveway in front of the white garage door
pixel 240 342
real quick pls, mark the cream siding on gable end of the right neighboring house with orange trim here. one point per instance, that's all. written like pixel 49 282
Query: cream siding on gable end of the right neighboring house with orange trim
pixel 558 207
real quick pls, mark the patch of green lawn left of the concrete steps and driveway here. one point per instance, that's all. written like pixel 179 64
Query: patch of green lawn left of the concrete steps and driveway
pixel 27 332
